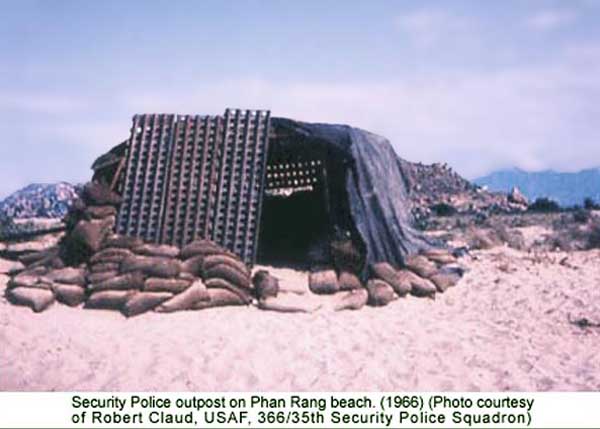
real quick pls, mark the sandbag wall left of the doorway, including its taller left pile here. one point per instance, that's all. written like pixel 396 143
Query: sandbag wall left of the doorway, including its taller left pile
pixel 99 269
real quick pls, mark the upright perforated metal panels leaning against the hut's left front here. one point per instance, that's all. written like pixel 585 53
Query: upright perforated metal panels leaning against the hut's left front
pixel 191 177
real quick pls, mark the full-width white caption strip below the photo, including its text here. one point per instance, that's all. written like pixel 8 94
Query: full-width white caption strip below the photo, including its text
pixel 295 410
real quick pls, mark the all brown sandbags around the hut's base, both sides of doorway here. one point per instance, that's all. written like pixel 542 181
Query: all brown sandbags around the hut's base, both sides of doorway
pixel 102 270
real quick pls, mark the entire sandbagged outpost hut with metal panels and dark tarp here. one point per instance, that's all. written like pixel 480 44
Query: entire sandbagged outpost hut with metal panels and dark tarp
pixel 173 220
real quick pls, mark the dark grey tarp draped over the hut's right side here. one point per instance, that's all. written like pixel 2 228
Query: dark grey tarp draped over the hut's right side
pixel 375 187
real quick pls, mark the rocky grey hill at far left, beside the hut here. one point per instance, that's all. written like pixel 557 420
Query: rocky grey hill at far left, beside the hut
pixel 39 201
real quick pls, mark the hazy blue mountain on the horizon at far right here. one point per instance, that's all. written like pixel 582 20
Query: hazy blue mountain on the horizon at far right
pixel 567 189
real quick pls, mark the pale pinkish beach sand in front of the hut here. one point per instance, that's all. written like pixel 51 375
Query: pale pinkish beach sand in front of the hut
pixel 503 327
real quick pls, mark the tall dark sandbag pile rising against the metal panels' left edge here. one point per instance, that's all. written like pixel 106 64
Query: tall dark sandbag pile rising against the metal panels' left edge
pixel 89 223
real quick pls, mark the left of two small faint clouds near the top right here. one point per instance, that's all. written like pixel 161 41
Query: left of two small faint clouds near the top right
pixel 427 27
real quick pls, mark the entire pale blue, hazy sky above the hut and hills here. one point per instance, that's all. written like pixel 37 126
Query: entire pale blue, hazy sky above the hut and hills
pixel 479 85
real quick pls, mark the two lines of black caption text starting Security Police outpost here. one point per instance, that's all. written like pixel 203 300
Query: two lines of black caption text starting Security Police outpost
pixel 300 410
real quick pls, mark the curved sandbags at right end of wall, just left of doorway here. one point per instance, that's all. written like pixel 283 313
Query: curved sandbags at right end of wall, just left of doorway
pixel 225 275
